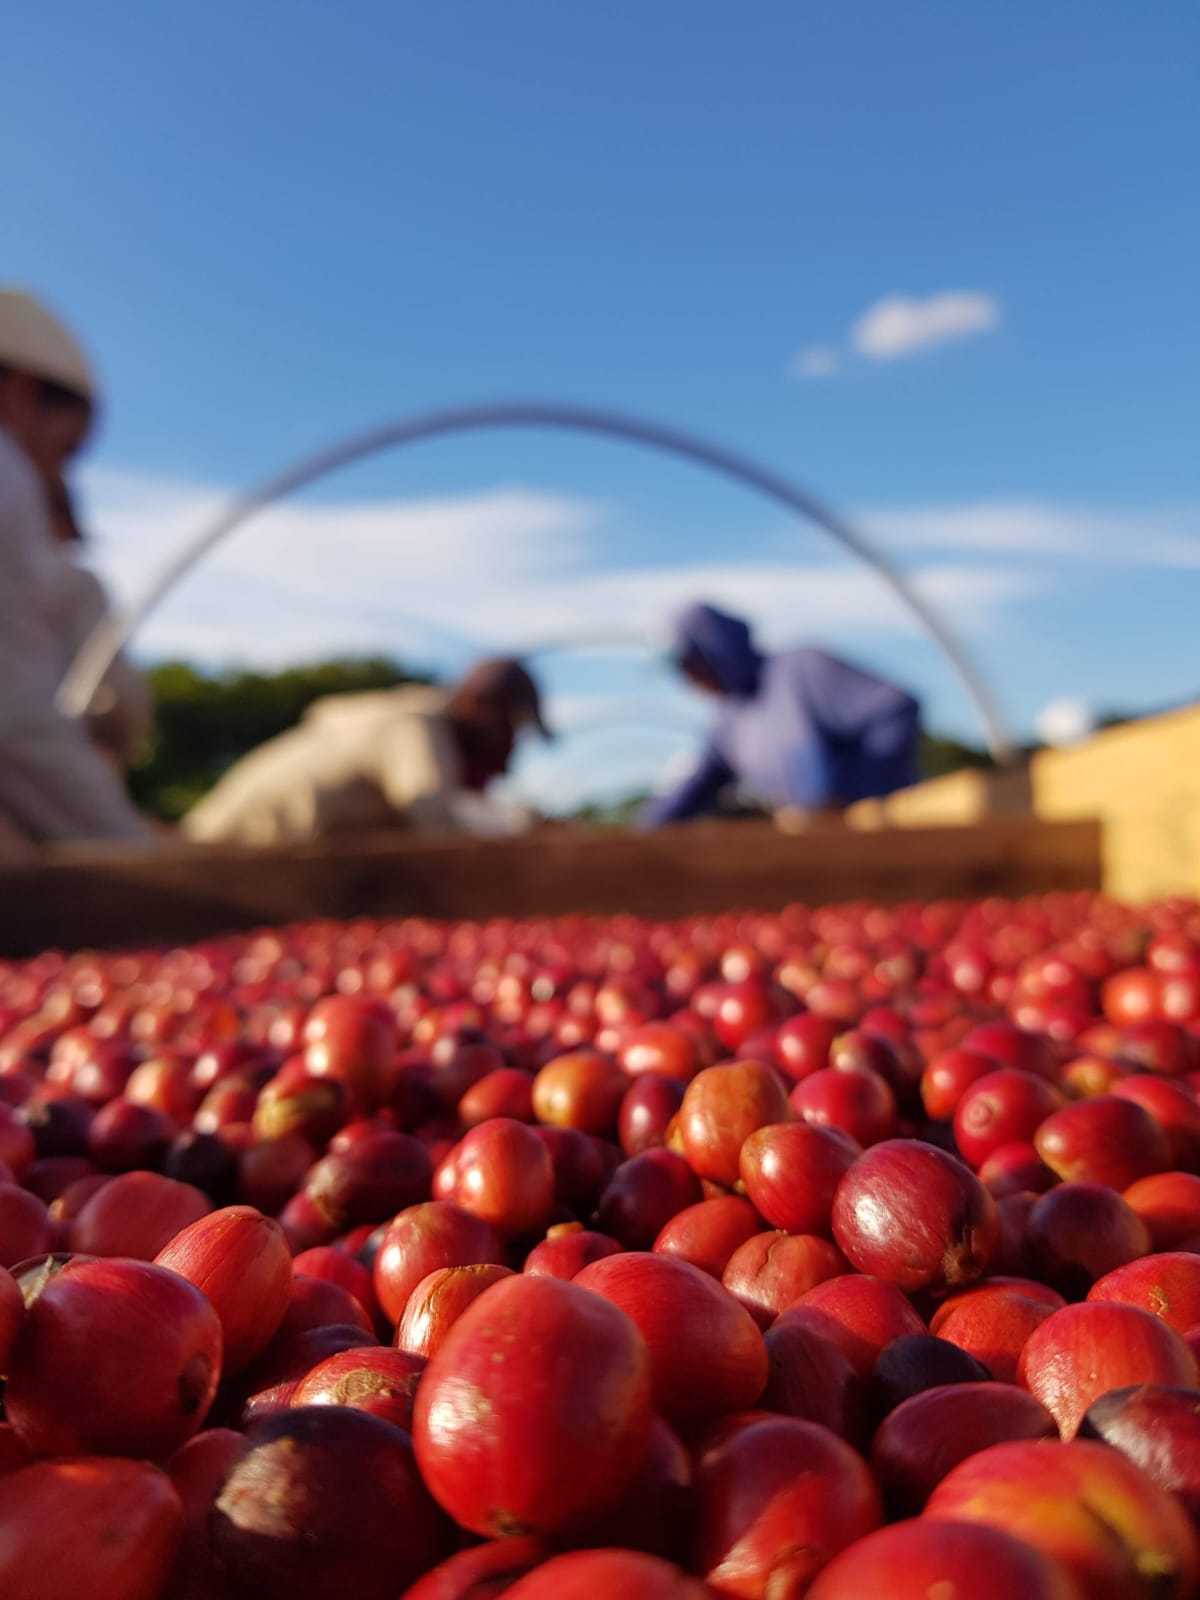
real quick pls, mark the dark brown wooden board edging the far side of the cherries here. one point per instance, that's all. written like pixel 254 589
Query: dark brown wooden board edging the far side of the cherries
pixel 74 900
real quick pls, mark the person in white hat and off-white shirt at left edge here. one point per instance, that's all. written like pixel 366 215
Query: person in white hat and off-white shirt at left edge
pixel 55 786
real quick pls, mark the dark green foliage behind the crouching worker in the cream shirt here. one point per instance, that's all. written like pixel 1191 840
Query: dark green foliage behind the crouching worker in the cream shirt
pixel 206 722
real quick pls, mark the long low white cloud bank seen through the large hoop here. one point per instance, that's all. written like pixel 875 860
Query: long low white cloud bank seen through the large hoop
pixel 442 580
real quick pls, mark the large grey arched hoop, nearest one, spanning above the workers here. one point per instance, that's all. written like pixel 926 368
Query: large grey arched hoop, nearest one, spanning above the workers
pixel 113 633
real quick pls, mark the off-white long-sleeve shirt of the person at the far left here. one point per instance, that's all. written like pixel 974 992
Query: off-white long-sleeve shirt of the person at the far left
pixel 55 786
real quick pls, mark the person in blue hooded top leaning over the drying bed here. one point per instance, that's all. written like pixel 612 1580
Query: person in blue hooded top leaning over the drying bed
pixel 799 732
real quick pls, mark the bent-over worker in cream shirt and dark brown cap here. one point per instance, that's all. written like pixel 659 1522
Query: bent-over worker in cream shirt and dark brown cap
pixel 418 758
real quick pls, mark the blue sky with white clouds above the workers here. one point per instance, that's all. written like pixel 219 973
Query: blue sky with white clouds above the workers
pixel 278 223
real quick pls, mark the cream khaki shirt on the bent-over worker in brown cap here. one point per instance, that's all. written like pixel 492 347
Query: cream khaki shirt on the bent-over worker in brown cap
pixel 354 762
